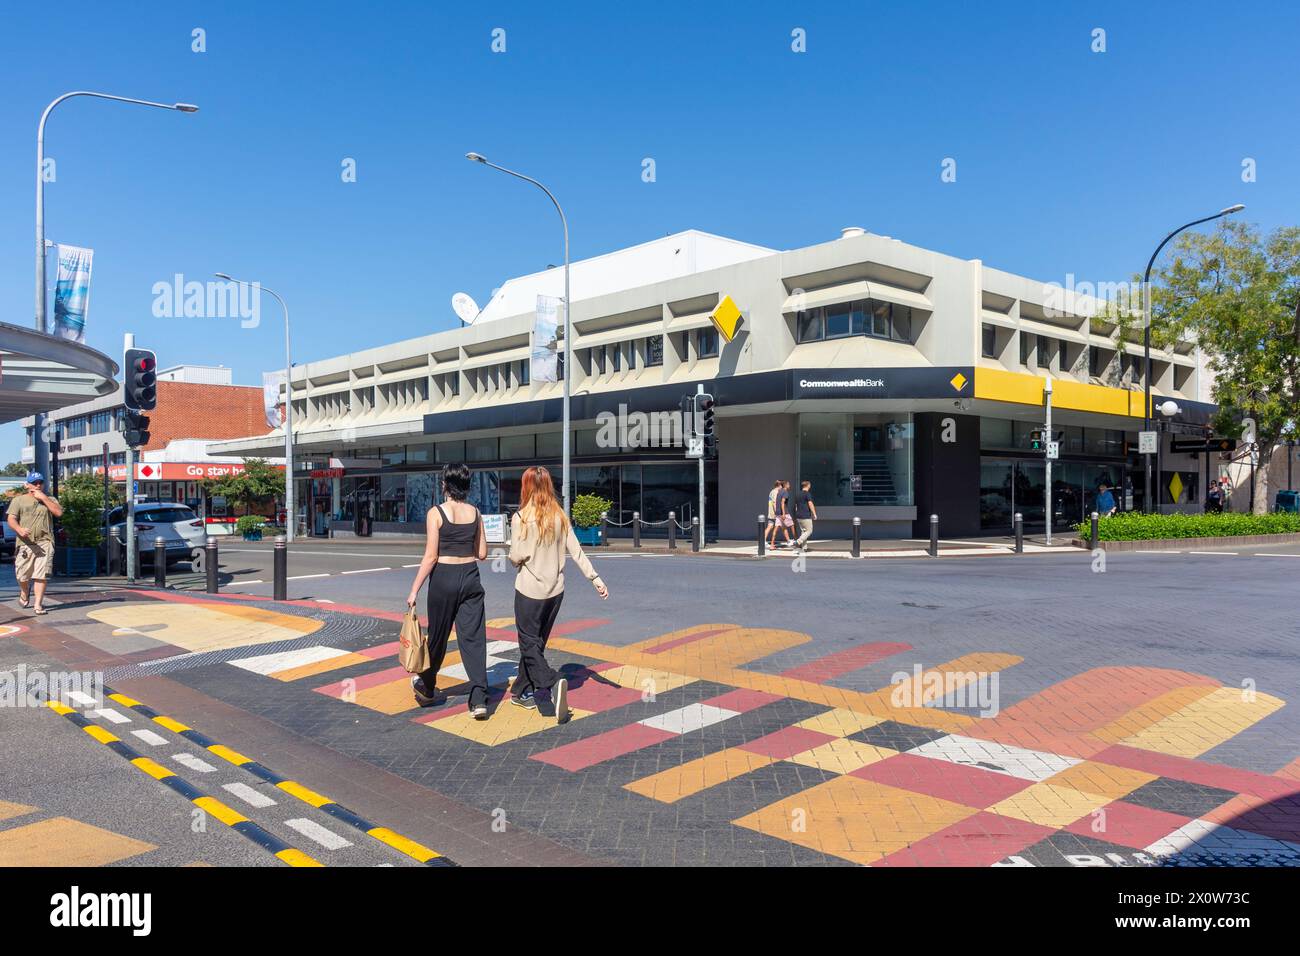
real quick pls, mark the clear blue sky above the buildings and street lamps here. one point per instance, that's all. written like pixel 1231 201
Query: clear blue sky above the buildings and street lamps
pixel 1068 161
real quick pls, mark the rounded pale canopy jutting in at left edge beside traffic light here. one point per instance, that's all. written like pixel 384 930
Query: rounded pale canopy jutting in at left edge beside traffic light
pixel 41 373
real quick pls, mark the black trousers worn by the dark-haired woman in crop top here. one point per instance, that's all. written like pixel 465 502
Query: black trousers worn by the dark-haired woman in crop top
pixel 457 598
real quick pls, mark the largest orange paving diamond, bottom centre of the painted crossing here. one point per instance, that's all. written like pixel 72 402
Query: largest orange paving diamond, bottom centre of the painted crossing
pixel 856 820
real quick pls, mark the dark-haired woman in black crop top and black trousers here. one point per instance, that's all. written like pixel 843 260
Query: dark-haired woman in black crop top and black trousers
pixel 456 546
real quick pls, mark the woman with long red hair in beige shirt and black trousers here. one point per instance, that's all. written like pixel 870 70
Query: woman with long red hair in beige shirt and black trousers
pixel 541 538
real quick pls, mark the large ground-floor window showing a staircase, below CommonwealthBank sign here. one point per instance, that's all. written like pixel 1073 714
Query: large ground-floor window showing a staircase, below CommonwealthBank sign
pixel 857 460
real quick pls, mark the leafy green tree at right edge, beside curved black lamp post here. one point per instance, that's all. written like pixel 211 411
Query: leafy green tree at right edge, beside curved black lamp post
pixel 1237 295
